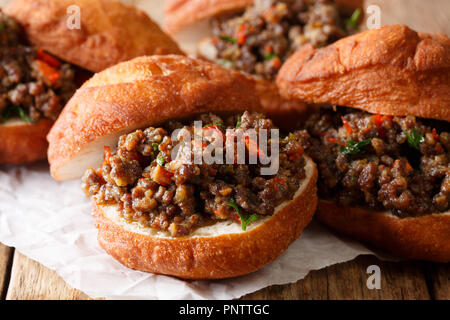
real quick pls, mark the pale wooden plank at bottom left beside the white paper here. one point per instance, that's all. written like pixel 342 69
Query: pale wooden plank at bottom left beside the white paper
pixel 32 281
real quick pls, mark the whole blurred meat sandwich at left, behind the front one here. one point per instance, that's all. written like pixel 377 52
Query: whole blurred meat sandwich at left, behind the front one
pixel 43 61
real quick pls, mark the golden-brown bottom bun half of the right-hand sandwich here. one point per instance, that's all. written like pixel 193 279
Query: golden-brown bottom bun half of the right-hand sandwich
pixel 422 238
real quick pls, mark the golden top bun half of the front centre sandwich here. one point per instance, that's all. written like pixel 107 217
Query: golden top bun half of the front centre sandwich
pixel 143 92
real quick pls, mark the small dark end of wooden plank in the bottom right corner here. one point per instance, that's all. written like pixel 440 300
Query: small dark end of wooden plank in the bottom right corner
pixel 439 280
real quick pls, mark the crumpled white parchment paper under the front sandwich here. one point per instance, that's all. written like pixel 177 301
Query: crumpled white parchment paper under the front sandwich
pixel 51 222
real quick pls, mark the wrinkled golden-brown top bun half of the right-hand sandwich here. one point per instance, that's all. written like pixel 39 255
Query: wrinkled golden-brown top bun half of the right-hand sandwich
pixel 392 70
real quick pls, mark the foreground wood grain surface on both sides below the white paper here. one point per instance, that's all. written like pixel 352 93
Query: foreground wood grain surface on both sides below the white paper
pixel 399 281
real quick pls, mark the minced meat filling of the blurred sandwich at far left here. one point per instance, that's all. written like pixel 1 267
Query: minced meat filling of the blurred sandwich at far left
pixel 34 84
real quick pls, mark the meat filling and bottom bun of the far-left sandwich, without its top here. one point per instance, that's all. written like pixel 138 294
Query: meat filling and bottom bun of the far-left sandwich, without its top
pixel 34 88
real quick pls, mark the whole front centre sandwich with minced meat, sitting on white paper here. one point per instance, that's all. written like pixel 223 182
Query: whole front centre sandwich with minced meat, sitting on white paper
pixel 158 208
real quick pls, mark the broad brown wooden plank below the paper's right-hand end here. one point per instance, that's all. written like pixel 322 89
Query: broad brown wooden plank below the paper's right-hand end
pixel 404 280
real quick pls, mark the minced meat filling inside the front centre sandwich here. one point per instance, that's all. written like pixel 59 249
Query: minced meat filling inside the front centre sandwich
pixel 177 196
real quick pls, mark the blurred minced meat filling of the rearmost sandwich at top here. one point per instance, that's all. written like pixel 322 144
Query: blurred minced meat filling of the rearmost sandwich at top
pixel 267 33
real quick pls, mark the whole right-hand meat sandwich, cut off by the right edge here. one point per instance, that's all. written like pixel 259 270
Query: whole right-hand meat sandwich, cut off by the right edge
pixel 383 159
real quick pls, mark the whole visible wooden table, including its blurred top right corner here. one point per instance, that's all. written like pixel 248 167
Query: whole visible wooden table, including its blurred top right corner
pixel 22 278
